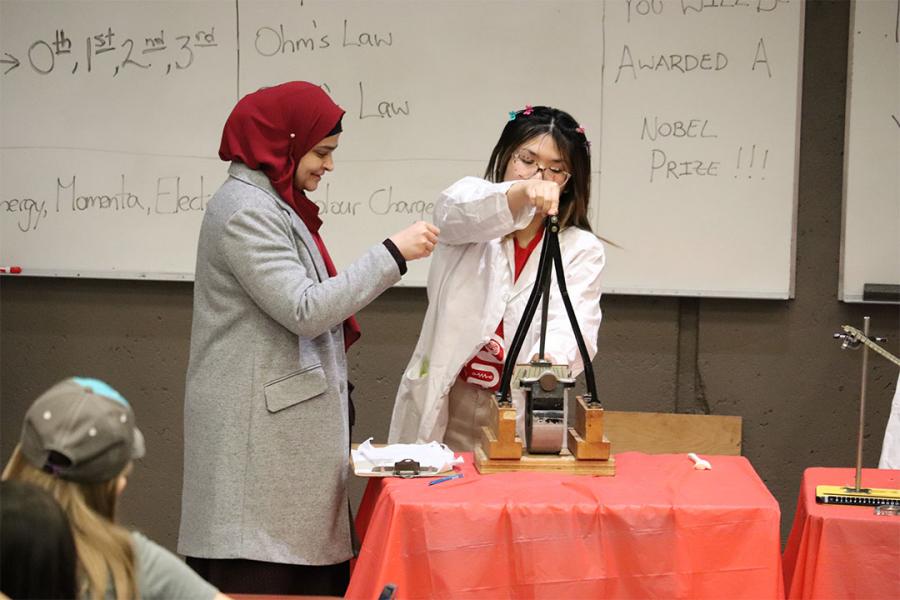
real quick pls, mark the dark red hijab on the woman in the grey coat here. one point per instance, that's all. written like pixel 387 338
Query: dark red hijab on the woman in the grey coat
pixel 270 130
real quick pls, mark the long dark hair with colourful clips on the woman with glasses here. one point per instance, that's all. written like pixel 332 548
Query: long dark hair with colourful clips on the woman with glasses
pixel 573 145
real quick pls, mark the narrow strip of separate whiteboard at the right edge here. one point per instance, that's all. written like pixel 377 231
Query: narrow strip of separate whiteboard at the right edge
pixel 870 240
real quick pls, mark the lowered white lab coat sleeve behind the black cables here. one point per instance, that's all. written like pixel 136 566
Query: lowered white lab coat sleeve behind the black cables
pixel 582 270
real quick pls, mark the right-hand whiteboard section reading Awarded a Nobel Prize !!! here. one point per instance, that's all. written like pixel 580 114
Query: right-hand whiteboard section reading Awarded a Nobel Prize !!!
pixel 698 182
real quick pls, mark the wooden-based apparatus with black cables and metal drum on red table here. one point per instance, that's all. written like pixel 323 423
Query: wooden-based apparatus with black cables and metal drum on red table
pixel 545 385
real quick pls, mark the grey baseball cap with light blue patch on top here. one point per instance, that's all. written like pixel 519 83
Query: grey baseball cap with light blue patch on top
pixel 81 430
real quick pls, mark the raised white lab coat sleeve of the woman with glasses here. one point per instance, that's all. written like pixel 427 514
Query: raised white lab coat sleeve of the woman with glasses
pixel 474 210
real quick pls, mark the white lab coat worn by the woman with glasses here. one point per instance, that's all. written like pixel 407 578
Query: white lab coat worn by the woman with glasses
pixel 470 288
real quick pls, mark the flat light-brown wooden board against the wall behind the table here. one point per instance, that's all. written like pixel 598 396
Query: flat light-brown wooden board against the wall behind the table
pixel 668 433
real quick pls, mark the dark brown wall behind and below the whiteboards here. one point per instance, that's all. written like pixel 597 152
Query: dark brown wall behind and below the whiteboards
pixel 771 362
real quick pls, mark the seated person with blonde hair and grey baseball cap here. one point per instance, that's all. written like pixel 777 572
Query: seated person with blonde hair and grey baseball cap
pixel 78 441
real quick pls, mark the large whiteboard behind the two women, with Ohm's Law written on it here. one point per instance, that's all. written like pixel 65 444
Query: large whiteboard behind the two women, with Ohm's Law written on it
pixel 111 121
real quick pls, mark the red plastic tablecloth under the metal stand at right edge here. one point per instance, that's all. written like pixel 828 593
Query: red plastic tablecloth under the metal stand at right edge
pixel 837 551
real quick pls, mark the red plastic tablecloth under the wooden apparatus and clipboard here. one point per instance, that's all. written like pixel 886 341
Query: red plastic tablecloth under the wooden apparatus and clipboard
pixel 658 528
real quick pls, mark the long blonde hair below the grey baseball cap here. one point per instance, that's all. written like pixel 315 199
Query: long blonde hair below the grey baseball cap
pixel 104 549
